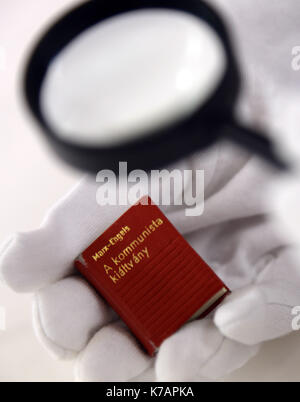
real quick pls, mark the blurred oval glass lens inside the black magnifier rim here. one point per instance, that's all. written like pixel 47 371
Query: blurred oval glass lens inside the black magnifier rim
pixel 130 75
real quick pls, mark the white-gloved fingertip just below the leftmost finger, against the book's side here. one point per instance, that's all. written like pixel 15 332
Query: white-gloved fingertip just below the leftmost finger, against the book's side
pixel 68 314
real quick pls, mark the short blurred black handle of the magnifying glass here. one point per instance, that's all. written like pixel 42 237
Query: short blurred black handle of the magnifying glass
pixel 256 142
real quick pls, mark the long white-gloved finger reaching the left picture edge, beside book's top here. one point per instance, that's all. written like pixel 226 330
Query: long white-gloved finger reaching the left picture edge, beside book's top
pixel 30 261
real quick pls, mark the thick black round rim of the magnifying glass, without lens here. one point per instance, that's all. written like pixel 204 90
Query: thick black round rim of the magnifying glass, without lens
pixel 160 147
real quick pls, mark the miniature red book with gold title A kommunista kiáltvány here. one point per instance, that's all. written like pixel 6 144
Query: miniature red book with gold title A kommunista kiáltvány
pixel 150 275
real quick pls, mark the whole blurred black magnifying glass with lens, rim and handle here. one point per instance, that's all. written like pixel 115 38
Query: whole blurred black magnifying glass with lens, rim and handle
pixel 147 82
